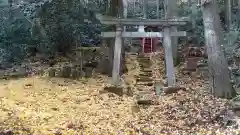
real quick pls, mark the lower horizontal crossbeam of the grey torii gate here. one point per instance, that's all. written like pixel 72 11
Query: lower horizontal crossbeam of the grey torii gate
pixel 143 34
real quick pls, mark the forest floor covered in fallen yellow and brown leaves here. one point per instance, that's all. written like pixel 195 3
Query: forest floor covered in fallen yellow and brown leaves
pixel 56 106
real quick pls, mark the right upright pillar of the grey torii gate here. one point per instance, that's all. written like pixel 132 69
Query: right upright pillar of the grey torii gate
pixel 171 80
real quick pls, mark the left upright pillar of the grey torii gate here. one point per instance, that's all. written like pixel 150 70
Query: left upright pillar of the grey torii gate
pixel 117 56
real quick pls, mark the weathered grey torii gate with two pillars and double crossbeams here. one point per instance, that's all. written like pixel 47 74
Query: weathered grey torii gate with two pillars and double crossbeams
pixel 119 35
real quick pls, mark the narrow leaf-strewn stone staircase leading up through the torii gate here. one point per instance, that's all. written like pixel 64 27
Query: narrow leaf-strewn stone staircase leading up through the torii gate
pixel 144 81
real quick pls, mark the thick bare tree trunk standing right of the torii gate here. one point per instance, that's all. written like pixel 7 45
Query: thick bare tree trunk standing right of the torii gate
pixel 218 67
